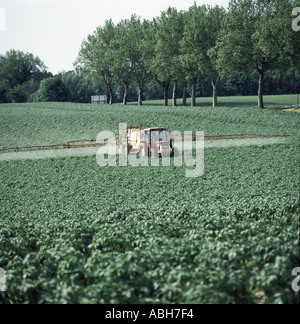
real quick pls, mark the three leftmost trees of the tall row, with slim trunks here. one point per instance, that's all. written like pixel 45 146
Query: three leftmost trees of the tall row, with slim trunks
pixel 117 54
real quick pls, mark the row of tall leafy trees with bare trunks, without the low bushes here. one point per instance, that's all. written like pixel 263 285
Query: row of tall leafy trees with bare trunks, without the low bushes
pixel 204 42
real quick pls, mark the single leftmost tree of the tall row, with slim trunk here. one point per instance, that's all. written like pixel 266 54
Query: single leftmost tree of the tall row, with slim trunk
pixel 96 57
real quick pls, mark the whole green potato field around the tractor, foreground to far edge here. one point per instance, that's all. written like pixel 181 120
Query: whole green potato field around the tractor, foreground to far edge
pixel 72 232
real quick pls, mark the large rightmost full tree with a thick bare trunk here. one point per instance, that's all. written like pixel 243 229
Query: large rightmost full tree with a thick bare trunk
pixel 254 38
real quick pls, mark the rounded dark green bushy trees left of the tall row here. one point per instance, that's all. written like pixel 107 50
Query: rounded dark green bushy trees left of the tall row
pixel 24 78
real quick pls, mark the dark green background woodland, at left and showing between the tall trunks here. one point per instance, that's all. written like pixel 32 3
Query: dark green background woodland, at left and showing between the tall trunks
pixel 17 85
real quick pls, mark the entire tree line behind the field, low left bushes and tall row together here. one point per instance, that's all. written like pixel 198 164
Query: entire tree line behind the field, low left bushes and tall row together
pixel 205 50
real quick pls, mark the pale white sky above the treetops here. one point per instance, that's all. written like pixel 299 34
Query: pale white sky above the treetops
pixel 54 29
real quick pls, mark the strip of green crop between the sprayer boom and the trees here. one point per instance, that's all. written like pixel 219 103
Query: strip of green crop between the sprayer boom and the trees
pixel 55 123
